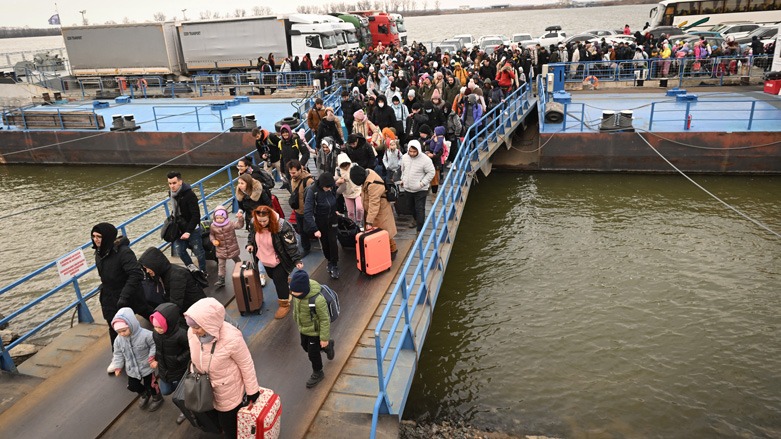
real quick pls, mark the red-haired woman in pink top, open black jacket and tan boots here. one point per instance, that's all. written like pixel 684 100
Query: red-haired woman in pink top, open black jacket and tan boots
pixel 274 245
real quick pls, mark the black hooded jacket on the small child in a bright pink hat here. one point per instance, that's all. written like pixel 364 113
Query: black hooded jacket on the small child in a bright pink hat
pixel 172 351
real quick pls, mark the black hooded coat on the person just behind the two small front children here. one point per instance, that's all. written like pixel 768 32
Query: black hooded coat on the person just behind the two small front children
pixel 181 289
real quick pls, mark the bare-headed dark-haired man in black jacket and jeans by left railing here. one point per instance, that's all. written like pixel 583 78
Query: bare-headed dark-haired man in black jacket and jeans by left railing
pixel 184 204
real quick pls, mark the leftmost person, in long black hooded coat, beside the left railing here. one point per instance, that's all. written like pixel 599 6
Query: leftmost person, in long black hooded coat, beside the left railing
pixel 120 276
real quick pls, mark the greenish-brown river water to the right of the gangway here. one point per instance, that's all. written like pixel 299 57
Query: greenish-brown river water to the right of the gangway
pixel 609 306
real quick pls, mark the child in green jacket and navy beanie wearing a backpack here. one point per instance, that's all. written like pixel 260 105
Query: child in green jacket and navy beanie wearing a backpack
pixel 314 327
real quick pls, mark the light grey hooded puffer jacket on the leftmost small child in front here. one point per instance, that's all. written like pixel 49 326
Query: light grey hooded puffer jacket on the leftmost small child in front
pixel 132 353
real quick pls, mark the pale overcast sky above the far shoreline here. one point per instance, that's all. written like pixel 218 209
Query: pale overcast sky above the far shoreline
pixel 36 13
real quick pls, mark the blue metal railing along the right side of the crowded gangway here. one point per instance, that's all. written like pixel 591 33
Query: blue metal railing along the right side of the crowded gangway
pixel 414 278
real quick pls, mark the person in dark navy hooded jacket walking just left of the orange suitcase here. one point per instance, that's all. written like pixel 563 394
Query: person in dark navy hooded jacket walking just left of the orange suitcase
pixel 320 219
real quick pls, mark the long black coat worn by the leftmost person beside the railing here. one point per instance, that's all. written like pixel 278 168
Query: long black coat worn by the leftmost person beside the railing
pixel 120 276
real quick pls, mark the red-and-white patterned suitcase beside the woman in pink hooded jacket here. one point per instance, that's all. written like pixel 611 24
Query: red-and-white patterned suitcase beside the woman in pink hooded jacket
pixel 261 418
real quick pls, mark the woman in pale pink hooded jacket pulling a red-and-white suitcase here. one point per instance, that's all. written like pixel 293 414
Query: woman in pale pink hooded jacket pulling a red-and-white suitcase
pixel 219 348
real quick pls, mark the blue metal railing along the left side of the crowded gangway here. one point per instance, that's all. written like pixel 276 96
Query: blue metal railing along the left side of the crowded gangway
pixel 150 220
